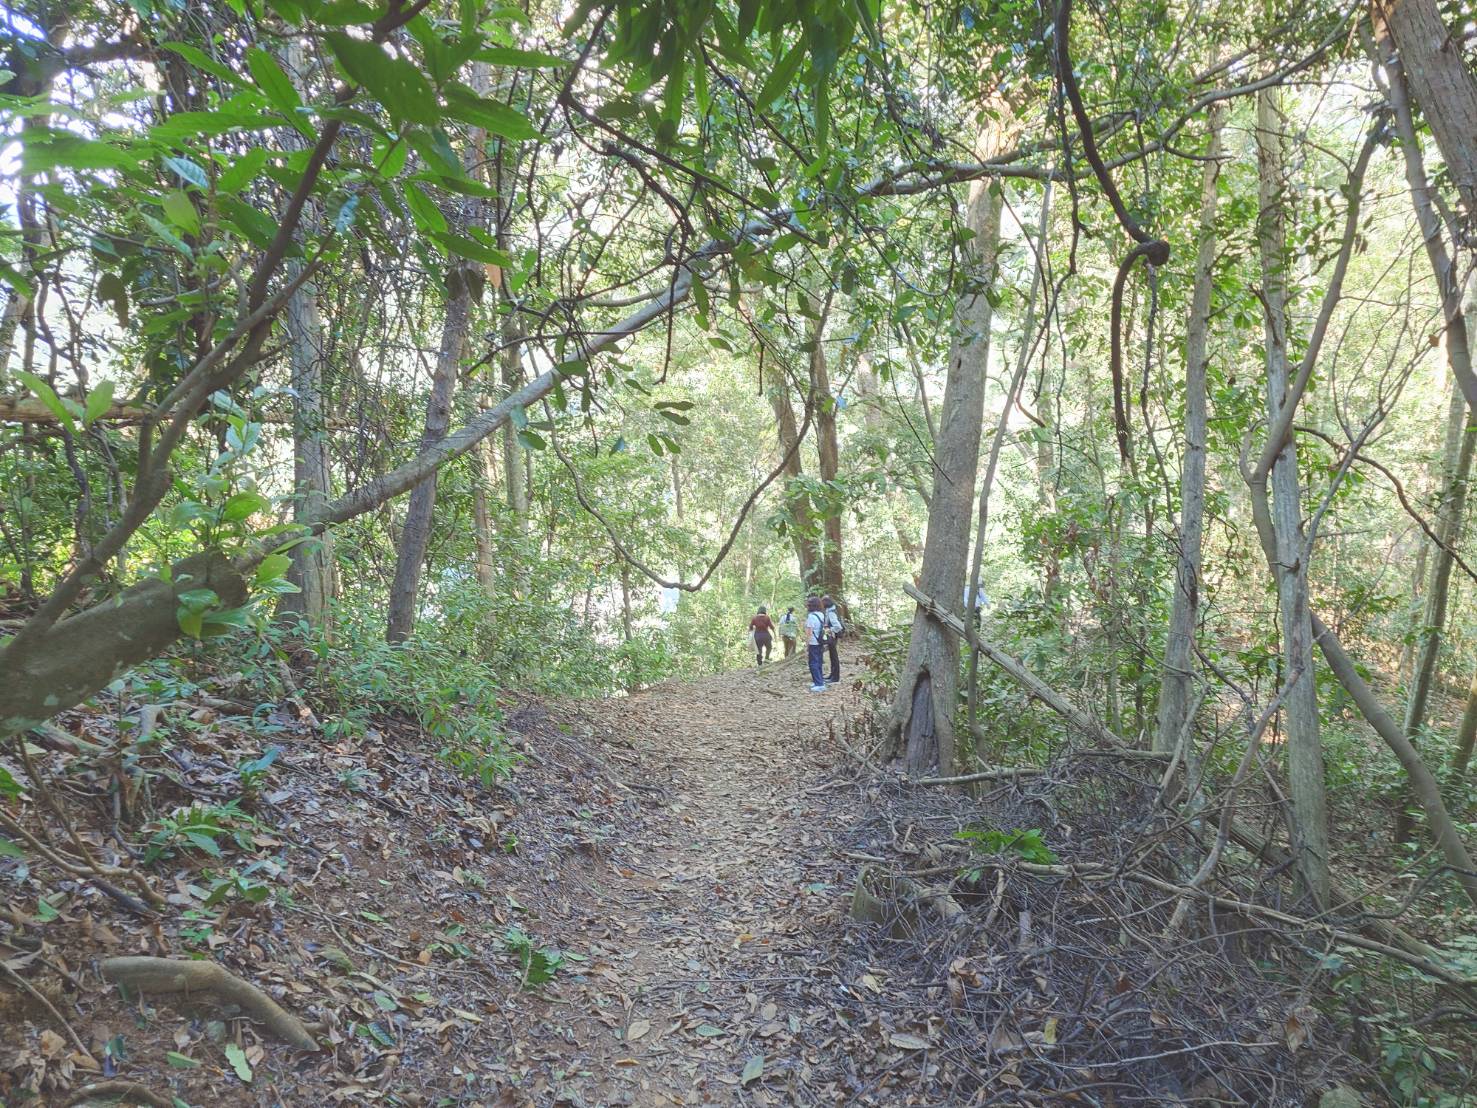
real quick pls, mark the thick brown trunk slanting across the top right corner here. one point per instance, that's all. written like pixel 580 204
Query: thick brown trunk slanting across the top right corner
pixel 1444 86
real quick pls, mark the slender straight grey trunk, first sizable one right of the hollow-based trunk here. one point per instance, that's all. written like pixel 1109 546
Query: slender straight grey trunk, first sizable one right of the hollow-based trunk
pixel 1176 686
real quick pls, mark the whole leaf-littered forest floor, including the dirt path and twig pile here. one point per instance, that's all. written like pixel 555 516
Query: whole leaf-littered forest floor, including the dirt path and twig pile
pixel 652 911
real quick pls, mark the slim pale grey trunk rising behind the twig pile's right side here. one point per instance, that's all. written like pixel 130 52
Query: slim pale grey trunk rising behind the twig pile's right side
pixel 1290 568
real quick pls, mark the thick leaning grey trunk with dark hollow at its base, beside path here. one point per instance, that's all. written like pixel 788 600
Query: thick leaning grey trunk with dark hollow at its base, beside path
pixel 928 686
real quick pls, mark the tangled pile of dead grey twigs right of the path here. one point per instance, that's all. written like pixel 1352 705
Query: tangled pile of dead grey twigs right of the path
pixel 1067 977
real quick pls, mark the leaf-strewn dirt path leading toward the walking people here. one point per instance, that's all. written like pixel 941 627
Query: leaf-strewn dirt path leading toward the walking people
pixel 698 991
